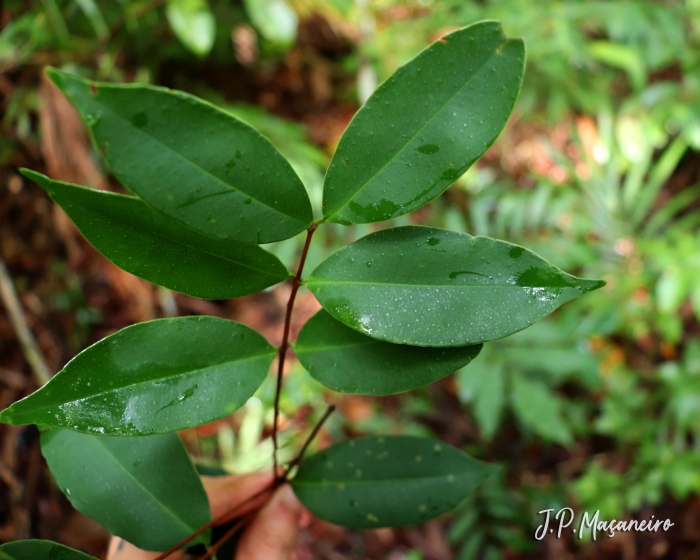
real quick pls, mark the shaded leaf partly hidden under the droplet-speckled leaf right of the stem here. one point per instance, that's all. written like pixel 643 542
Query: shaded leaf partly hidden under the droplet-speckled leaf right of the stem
pixel 344 360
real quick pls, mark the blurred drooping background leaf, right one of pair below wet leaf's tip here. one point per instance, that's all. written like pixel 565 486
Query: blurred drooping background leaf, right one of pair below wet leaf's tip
pixel 537 408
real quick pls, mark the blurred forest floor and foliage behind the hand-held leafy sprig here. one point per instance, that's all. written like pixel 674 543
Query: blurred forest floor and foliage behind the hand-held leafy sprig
pixel 596 407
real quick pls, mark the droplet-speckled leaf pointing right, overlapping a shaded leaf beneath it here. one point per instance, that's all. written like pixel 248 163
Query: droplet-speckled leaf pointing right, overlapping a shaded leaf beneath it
pixel 432 287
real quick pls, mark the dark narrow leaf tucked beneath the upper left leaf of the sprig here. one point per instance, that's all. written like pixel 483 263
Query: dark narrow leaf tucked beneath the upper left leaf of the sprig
pixel 150 245
